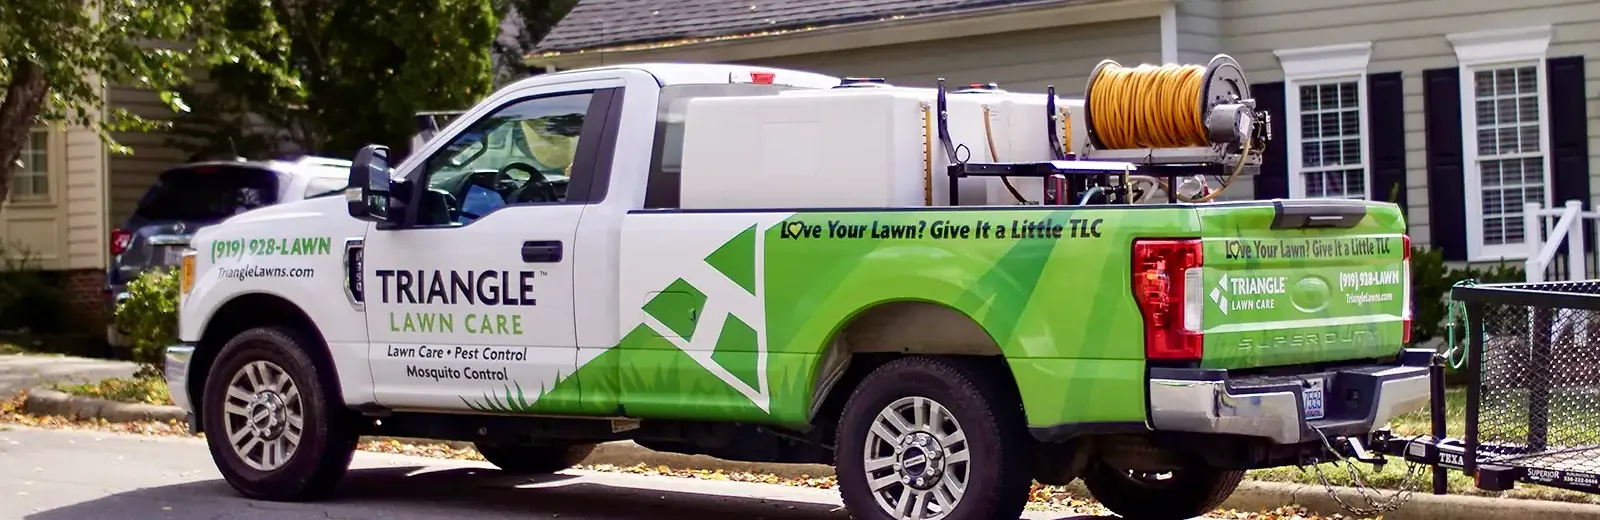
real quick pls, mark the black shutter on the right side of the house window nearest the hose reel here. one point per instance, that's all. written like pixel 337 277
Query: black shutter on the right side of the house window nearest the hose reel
pixel 1386 140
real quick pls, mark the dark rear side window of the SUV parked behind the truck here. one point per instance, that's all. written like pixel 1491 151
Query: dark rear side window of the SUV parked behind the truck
pixel 209 193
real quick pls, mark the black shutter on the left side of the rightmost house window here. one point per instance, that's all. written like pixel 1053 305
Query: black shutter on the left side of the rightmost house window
pixel 1447 212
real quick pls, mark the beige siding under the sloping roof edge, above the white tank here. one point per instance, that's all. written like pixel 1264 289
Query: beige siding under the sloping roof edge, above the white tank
pixel 1020 62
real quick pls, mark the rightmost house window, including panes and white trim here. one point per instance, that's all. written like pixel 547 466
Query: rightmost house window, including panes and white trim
pixel 1503 122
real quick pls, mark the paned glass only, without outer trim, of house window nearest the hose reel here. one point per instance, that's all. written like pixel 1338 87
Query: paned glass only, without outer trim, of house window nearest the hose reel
pixel 1332 142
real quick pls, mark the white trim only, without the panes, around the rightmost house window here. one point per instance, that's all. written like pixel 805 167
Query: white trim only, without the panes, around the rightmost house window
pixel 1494 50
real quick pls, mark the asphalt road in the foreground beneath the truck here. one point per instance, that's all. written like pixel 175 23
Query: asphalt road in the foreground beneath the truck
pixel 71 476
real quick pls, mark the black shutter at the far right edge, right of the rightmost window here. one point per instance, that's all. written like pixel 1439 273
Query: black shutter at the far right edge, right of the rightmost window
pixel 1569 130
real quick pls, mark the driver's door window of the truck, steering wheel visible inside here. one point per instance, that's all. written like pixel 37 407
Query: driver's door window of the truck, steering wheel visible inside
pixel 518 154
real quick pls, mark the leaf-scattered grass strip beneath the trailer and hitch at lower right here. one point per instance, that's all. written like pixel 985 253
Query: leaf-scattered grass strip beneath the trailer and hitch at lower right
pixel 1394 473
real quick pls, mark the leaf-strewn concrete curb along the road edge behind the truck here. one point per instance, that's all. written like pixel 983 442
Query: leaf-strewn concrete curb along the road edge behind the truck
pixel 623 454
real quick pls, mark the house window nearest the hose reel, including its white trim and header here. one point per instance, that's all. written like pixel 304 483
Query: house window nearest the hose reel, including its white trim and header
pixel 1327 114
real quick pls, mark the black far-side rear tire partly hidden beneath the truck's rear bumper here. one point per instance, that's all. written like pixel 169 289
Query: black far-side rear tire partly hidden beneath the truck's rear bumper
pixel 1191 492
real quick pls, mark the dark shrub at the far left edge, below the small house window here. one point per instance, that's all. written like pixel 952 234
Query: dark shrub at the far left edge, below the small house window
pixel 31 302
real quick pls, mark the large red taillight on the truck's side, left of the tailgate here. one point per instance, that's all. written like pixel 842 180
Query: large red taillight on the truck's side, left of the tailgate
pixel 1167 284
